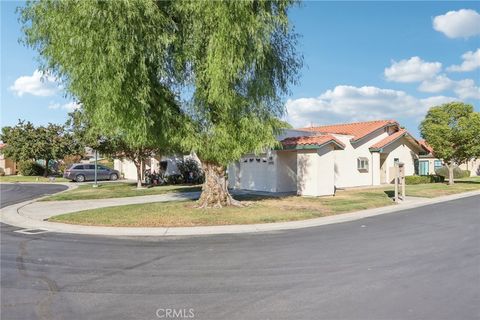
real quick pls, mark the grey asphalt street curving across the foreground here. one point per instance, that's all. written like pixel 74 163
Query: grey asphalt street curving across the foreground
pixel 421 263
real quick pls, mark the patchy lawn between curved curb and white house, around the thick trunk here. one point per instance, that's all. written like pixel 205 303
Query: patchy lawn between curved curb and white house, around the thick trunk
pixel 259 210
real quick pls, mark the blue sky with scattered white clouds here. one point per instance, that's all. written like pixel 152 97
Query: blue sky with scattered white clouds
pixel 363 61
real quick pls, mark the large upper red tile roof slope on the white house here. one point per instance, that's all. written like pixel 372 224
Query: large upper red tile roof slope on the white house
pixel 357 129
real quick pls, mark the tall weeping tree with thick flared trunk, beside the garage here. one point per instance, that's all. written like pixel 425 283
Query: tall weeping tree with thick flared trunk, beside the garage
pixel 239 59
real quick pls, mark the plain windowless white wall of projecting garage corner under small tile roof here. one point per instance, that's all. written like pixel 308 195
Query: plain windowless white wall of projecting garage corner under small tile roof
pixel 315 172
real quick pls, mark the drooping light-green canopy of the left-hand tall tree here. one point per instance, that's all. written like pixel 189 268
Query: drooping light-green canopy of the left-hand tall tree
pixel 114 58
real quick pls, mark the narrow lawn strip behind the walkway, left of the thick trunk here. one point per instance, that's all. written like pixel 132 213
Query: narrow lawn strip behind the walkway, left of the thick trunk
pixel 117 190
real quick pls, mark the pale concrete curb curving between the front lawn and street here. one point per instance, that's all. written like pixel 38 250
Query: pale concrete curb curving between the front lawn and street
pixel 11 216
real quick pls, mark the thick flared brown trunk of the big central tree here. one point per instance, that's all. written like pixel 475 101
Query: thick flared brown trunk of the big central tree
pixel 214 190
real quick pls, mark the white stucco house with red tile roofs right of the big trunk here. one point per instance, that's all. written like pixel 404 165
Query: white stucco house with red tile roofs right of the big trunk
pixel 316 161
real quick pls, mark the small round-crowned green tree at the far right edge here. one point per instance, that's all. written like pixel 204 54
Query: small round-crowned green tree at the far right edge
pixel 453 131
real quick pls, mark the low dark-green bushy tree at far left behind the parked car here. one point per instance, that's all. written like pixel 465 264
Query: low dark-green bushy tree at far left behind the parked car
pixel 27 142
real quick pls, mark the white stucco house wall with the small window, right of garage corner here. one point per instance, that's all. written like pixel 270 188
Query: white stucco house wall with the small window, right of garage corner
pixel 346 171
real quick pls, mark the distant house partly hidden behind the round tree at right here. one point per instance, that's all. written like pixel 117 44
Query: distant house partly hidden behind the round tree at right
pixel 428 162
